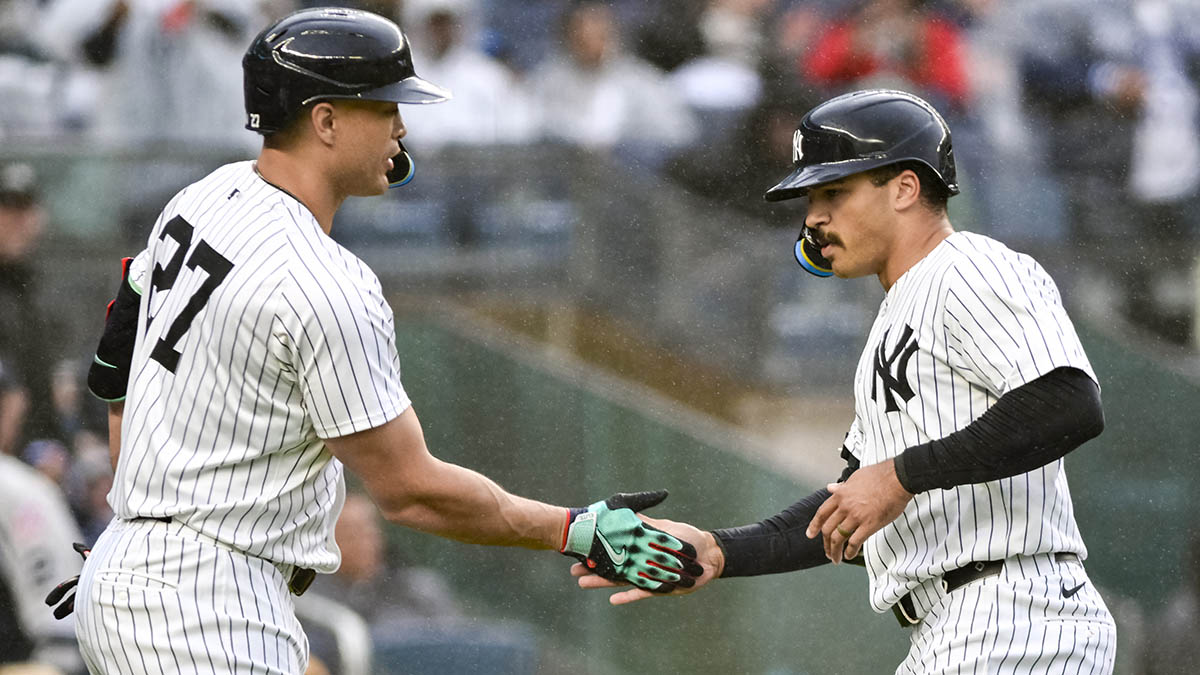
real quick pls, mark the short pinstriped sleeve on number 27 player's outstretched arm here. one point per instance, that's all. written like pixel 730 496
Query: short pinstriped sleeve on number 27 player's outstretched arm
pixel 343 348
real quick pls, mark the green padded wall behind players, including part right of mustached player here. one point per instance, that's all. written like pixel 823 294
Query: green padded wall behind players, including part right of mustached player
pixel 551 434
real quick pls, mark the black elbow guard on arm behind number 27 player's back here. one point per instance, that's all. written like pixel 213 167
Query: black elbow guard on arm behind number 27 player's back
pixel 110 373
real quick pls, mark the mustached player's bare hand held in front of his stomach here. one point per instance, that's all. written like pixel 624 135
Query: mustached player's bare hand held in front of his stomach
pixel 871 499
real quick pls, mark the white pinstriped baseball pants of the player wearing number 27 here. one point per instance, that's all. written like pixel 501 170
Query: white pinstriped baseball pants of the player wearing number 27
pixel 158 598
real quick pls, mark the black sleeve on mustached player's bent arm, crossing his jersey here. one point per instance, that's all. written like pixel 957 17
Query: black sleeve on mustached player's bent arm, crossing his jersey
pixel 1030 427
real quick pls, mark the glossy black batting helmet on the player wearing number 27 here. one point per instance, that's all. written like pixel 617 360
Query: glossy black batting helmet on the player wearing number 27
pixel 329 53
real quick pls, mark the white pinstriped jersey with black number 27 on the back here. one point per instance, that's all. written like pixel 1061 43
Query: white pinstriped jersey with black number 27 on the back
pixel 259 336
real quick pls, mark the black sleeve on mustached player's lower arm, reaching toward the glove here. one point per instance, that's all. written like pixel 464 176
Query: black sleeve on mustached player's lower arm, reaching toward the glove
pixel 778 543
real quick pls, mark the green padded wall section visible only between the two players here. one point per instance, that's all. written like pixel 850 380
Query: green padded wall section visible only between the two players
pixel 544 437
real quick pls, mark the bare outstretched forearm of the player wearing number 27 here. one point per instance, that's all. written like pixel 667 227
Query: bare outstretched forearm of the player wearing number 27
pixel 460 504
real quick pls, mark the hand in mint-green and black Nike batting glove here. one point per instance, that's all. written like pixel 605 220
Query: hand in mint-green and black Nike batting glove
pixel 615 543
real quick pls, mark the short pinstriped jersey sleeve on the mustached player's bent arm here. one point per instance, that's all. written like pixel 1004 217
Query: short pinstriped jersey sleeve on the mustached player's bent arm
pixel 1006 325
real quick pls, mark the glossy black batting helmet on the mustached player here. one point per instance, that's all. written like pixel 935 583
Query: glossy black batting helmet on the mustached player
pixel 866 130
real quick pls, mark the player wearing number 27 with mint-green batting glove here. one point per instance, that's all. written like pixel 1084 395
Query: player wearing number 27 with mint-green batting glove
pixel 262 360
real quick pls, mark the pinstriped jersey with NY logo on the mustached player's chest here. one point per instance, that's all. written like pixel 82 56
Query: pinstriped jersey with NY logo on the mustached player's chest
pixel 968 324
